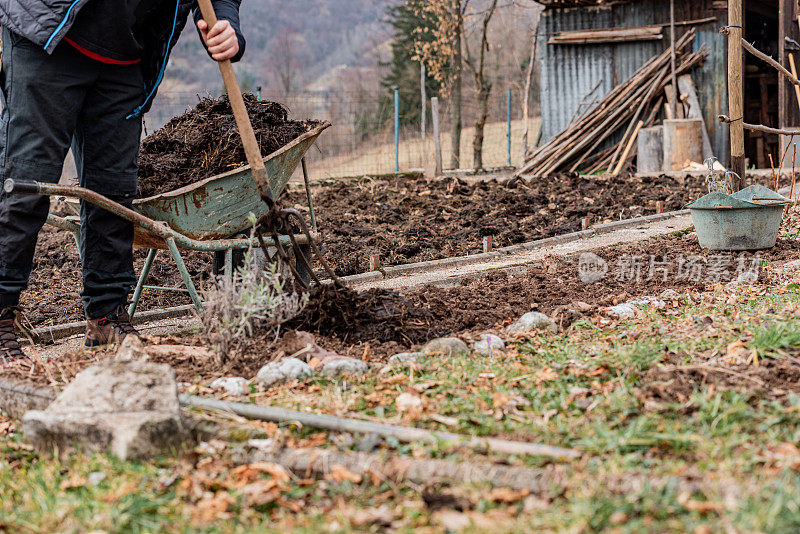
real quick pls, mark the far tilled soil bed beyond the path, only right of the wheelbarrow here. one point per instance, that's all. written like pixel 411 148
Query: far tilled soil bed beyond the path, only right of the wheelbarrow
pixel 408 220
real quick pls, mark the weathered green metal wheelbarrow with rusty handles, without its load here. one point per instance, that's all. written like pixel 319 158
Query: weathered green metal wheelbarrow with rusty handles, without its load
pixel 205 216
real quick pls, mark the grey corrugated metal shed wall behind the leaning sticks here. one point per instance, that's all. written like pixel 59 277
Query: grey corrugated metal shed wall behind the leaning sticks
pixel 570 71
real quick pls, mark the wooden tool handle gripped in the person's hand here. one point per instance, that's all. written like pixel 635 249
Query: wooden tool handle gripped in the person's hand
pixel 251 148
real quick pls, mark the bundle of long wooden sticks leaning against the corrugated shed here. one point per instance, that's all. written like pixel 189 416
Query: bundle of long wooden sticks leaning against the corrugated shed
pixel 581 146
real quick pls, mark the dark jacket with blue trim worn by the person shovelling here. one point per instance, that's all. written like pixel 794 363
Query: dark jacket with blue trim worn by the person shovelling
pixel 46 22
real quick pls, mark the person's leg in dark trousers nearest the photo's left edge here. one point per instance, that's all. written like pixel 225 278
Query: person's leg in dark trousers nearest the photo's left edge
pixel 42 96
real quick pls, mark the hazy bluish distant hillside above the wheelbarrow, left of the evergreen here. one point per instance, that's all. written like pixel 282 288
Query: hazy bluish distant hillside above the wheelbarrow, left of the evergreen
pixel 300 39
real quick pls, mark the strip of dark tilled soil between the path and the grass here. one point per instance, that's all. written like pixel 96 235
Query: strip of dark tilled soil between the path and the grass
pixel 552 287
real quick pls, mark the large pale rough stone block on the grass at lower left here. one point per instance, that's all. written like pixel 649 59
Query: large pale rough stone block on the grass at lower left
pixel 128 407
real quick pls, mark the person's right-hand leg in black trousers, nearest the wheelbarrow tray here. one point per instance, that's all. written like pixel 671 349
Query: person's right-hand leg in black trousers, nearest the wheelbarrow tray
pixel 106 149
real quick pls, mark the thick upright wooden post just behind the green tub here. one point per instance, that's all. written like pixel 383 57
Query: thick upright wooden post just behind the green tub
pixel 736 91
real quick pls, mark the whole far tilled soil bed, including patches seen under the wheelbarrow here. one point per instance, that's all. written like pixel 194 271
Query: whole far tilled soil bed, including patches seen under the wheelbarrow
pixel 403 219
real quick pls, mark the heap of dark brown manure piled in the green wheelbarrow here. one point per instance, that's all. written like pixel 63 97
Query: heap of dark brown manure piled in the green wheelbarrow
pixel 204 142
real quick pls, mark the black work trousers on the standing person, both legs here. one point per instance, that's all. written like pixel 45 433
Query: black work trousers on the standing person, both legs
pixel 49 103
